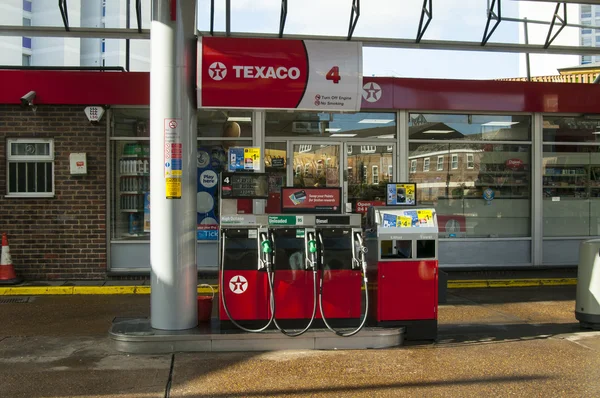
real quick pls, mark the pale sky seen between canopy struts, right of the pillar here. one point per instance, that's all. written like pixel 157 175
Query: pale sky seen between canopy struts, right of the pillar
pixel 462 20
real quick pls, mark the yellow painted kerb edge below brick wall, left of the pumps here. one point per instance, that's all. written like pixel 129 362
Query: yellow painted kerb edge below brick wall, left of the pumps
pixel 86 290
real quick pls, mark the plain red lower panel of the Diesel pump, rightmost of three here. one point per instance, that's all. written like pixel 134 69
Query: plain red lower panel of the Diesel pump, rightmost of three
pixel 342 294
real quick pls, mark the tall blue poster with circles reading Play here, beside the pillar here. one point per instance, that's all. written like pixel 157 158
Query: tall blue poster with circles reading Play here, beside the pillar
pixel 210 162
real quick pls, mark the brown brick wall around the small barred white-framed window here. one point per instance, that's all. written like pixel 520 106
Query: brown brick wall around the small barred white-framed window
pixel 62 237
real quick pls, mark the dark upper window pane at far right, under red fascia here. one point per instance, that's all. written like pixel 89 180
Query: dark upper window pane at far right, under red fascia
pixel 572 129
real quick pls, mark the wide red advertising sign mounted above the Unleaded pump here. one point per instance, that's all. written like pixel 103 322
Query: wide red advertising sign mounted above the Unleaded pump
pixel 311 200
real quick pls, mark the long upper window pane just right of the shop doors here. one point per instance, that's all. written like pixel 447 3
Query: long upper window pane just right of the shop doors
pixel 469 127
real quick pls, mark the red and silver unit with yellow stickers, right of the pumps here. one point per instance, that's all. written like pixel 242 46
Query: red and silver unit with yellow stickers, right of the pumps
pixel 403 267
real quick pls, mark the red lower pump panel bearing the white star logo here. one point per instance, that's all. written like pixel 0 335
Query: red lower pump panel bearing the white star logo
pixel 252 304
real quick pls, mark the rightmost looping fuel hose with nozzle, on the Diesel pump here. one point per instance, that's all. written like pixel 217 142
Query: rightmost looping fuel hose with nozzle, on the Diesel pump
pixel 358 263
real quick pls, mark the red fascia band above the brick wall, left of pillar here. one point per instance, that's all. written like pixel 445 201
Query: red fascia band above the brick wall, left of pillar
pixel 76 88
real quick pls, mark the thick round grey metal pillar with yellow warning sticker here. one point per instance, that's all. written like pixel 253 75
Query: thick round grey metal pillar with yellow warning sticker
pixel 174 277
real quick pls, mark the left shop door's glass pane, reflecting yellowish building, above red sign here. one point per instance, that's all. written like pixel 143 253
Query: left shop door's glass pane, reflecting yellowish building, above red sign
pixel 316 165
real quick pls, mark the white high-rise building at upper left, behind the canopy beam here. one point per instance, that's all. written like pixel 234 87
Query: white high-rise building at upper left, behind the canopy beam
pixel 58 51
